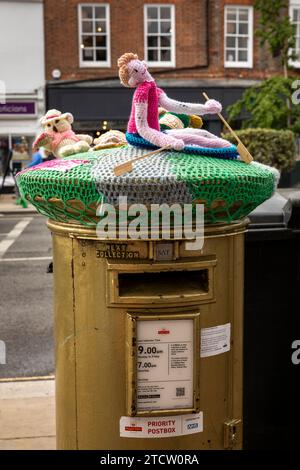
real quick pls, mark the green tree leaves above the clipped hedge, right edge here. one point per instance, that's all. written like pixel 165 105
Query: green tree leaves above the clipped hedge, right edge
pixel 269 104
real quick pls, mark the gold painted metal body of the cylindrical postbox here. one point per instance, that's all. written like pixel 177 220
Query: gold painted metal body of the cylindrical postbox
pixel 90 334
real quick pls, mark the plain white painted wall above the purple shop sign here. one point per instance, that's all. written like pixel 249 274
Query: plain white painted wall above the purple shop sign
pixel 22 45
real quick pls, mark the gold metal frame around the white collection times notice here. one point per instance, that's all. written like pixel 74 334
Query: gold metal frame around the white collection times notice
pixel 131 343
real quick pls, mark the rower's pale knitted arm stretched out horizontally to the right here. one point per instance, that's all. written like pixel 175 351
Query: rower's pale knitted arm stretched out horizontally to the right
pixel 210 107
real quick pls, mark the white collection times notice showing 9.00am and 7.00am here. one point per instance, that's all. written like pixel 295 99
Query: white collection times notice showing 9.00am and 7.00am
pixel 165 364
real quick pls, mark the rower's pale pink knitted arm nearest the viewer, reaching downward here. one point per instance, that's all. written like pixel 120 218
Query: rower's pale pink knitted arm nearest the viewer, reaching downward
pixel 155 137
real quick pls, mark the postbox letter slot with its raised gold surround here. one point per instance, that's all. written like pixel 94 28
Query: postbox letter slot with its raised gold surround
pixel 145 284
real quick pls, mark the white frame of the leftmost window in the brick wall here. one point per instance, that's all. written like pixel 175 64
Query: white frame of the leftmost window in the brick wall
pixel 94 64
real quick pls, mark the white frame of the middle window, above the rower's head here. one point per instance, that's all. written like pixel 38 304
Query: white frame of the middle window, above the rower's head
pixel 172 62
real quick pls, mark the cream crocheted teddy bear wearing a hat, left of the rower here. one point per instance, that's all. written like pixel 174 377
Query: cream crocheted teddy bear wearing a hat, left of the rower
pixel 58 136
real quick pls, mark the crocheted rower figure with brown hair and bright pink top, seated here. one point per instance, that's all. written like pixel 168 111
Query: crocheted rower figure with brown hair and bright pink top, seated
pixel 144 119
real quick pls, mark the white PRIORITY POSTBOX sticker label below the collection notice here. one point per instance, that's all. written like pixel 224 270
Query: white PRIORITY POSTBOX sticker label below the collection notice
pixel 167 426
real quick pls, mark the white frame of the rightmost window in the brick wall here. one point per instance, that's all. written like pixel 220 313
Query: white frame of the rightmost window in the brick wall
pixel 238 64
